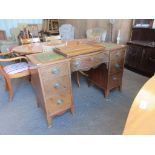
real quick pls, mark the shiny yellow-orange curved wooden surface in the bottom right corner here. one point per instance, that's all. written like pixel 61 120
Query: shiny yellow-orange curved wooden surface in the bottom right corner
pixel 140 120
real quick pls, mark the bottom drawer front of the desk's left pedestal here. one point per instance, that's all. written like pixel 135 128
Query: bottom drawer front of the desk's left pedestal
pixel 59 103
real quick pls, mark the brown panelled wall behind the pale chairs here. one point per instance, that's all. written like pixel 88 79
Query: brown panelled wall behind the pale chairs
pixel 81 25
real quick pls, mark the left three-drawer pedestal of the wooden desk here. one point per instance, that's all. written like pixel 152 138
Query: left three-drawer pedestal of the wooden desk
pixel 52 85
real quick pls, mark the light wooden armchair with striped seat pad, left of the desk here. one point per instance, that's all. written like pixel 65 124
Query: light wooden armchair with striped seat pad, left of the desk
pixel 15 70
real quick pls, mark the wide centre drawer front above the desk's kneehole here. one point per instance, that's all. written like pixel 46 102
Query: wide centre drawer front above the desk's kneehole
pixel 86 62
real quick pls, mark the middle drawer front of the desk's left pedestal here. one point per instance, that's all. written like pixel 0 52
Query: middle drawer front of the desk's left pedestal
pixel 56 86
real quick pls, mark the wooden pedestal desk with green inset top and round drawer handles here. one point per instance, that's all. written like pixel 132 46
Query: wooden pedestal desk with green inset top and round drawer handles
pixel 51 74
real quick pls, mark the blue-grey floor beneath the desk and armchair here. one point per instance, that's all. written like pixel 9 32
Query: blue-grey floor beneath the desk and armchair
pixel 93 113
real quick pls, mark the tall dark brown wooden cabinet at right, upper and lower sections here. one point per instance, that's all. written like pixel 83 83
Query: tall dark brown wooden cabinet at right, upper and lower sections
pixel 140 56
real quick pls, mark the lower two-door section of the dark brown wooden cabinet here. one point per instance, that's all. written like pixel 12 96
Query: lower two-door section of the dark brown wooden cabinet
pixel 141 59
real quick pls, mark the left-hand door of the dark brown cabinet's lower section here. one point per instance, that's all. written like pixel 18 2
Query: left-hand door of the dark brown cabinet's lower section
pixel 133 56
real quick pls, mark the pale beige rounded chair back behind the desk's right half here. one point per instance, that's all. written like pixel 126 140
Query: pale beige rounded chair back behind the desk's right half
pixel 96 34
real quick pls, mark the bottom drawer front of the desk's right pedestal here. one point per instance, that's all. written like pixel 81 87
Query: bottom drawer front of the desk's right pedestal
pixel 115 80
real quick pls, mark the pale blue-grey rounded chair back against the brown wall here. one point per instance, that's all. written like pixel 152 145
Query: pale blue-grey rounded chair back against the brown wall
pixel 67 32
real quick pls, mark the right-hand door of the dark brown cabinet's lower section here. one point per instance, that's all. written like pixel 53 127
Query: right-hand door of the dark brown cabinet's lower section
pixel 148 60
